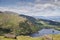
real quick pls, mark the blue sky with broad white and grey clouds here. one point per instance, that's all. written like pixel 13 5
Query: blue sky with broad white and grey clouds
pixel 32 7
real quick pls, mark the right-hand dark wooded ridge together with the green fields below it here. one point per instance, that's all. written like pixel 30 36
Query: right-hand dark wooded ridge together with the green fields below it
pixel 49 24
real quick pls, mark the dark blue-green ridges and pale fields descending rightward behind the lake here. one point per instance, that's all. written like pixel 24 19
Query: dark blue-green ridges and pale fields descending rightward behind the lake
pixel 43 23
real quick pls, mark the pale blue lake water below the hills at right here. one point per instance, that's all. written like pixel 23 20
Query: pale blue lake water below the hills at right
pixel 45 32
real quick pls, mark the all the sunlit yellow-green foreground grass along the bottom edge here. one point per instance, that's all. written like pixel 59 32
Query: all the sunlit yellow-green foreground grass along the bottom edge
pixel 55 37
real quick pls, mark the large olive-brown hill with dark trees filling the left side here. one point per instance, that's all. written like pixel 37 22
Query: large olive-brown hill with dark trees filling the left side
pixel 11 22
